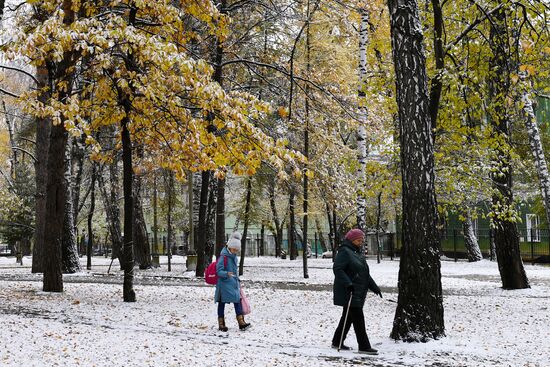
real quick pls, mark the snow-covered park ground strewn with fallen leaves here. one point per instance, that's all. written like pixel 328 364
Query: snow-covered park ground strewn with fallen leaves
pixel 173 322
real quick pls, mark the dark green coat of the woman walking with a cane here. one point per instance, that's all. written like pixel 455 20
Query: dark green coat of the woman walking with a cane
pixel 351 269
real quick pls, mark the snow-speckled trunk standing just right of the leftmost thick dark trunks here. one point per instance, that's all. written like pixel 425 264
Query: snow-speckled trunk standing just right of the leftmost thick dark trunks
pixel 70 260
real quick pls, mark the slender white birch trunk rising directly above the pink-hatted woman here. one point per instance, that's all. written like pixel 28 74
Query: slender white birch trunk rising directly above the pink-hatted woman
pixel 363 115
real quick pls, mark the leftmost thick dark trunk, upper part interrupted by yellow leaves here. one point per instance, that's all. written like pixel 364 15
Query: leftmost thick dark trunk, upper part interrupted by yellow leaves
pixel 41 172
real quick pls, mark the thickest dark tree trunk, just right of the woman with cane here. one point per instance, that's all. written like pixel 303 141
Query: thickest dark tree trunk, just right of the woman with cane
pixel 419 313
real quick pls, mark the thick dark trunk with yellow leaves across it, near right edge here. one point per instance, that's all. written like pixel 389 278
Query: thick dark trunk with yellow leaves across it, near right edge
pixel 506 234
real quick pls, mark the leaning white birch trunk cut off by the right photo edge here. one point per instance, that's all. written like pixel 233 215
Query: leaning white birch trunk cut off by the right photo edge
pixel 537 150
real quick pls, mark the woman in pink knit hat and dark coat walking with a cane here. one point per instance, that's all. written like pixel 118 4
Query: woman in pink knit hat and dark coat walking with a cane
pixel 351 281
